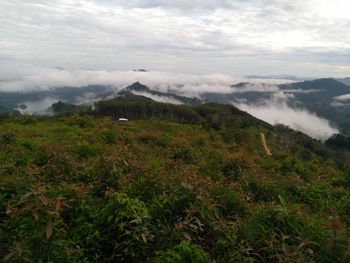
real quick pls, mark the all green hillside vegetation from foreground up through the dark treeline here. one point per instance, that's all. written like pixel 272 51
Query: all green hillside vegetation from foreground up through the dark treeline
pixel 178 184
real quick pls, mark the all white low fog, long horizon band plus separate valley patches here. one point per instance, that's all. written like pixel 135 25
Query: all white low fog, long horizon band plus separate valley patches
pixel 24 78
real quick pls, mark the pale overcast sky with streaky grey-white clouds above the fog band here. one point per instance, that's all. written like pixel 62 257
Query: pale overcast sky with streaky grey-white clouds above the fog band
pixel 238 37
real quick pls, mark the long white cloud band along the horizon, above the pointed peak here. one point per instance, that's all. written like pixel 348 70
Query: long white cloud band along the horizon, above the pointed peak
pixel 25 78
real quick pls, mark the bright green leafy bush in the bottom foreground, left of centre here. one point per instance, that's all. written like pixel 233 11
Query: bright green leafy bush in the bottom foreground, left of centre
pixel 118 230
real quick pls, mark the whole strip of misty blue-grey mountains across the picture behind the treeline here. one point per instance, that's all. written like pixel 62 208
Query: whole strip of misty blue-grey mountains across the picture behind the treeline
pixel 325 97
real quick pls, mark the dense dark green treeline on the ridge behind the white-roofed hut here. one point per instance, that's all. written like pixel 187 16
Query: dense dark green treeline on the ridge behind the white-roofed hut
pixel 210 115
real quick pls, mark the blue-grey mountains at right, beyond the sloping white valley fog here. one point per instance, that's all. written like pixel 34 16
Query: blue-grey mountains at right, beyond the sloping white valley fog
pixel 325 97
